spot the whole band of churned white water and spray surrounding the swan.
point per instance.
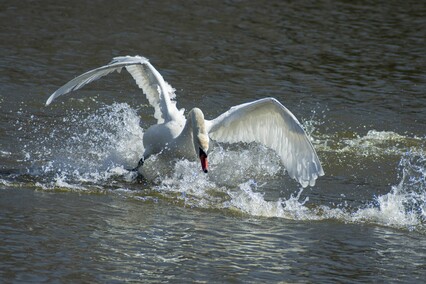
(88, 151)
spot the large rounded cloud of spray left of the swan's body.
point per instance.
(86, 148)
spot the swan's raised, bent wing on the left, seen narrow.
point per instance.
(158, 92)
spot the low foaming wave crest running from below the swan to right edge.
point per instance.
(404, 207)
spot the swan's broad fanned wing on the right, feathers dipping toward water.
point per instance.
(268, 122)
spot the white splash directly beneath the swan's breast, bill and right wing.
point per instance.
(184, 178)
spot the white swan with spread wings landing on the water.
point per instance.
(265, 121)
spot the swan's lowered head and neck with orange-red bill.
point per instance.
(200, 137)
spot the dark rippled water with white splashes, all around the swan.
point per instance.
(353, 73)
